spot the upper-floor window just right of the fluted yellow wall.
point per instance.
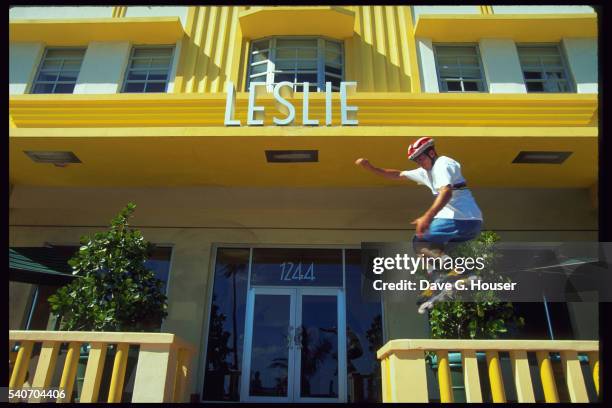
(459, 68)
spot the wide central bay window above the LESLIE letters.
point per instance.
(297, 60)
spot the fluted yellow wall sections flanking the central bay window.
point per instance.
(215, 49)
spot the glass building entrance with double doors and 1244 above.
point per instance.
(292, 325)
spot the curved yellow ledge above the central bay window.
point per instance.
(327, 21)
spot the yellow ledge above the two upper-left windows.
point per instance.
(73, 32)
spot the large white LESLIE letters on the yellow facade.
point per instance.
(281, 91)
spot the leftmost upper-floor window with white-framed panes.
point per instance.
(58, 70)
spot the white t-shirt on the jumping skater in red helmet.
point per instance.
(445, 171)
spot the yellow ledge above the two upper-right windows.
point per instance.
(519, 27)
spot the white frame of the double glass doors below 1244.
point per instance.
(294, 355)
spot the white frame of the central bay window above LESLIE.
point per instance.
(271, 68)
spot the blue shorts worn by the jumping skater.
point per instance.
(444, 230)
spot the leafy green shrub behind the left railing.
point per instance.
(114, 290)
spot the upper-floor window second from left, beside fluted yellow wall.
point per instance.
(148, 69)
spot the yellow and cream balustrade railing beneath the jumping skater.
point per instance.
(404, 369)
